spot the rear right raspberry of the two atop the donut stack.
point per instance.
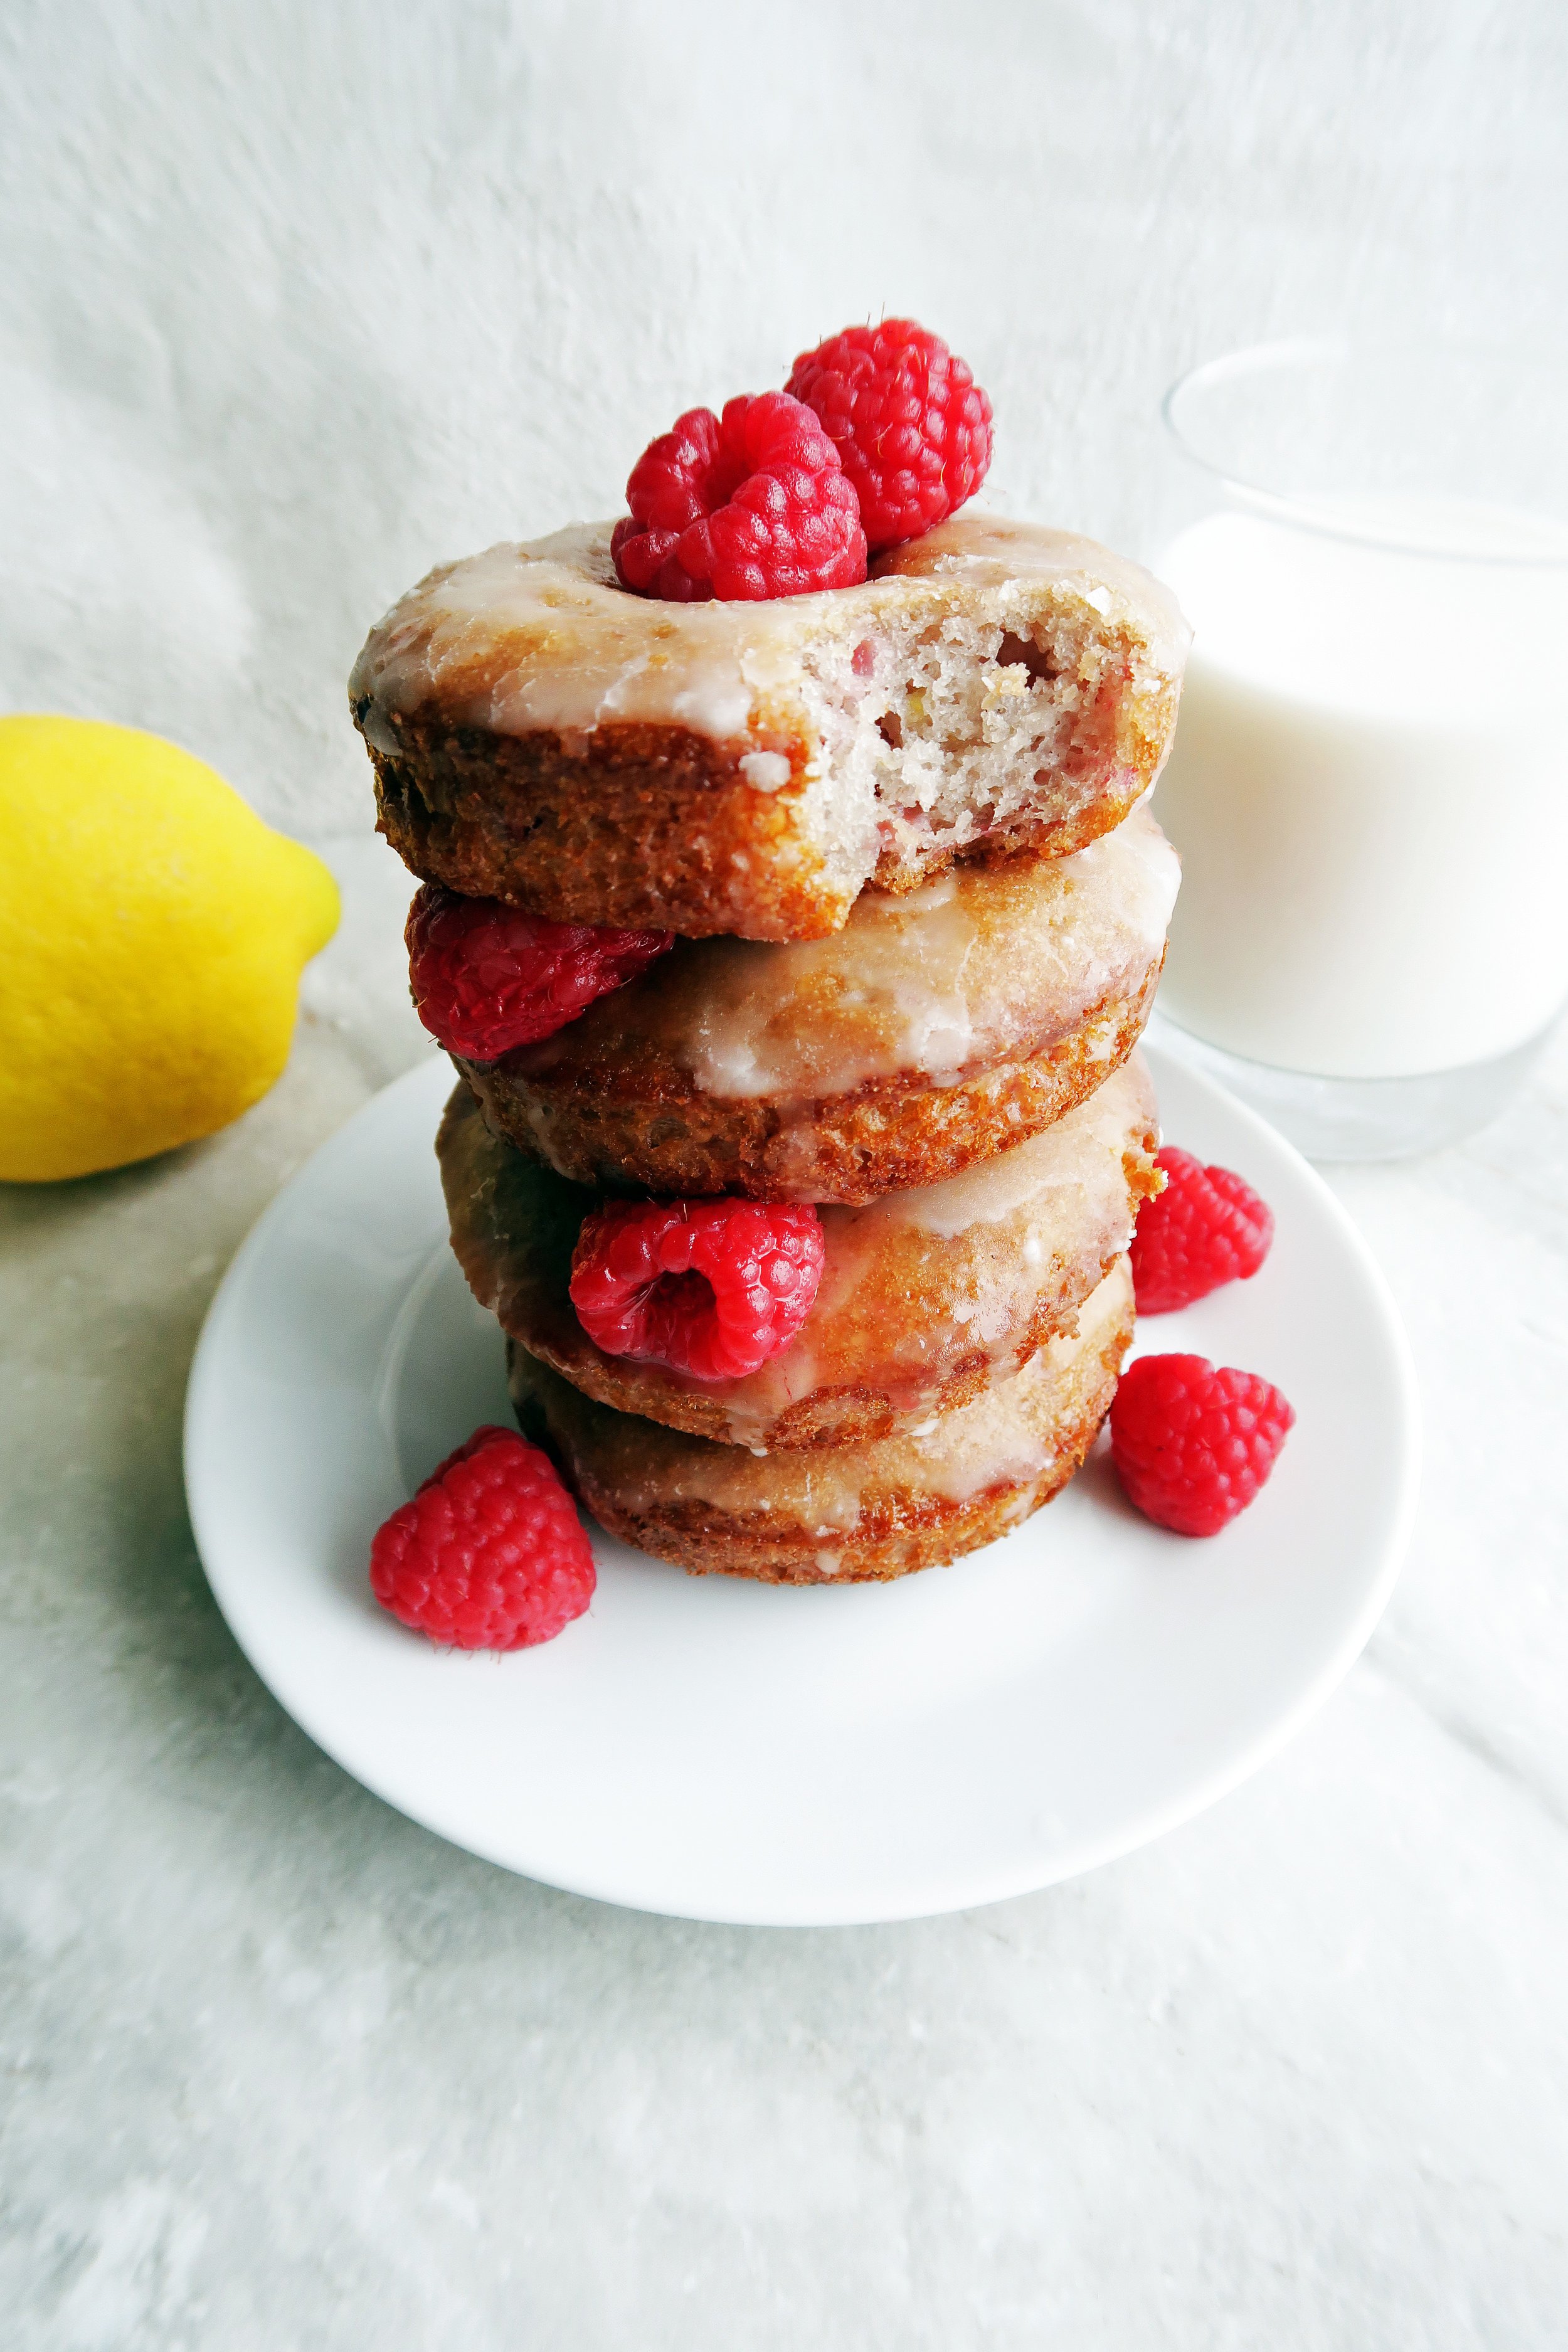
(909, 420)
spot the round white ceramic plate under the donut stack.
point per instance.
(760, 1753)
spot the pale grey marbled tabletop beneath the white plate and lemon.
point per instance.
(281, 2069)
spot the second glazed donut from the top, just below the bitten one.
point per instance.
(932, 1031)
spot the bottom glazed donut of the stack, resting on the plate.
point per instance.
(840, 1514)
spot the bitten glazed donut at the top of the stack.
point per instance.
(547, 737)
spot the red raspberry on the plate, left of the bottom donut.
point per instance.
(490, 1551)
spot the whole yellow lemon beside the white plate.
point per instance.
(152, 942)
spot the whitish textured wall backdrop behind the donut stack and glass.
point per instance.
(307, 295)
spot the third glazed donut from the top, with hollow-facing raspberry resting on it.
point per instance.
(927, 1297)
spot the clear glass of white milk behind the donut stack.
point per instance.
(1369, 784)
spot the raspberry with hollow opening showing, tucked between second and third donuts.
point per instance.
(711, 1288)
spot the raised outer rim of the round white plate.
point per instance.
(1148, 1824)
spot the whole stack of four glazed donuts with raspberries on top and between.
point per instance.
(791, 933)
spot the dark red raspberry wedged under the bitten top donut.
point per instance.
(488, 977)
